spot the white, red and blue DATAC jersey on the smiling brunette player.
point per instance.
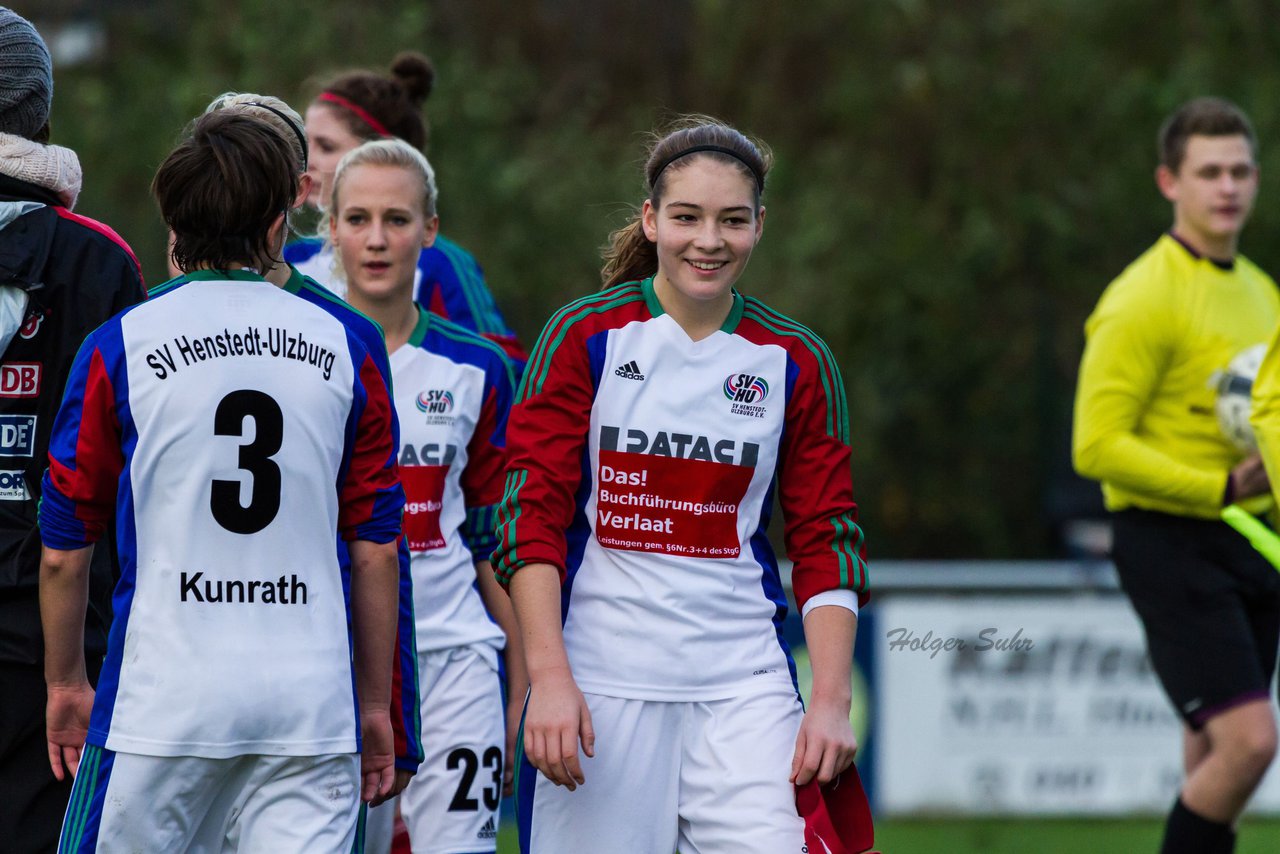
(644, 465)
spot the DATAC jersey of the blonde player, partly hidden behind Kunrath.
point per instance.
(454, 391)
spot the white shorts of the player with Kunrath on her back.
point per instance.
(127, 802)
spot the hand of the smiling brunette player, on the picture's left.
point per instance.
(555, 724)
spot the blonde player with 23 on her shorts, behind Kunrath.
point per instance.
(452, 392)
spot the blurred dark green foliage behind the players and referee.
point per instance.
(956, 182)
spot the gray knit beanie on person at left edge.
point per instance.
(26, 77)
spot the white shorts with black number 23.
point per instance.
(451, 806)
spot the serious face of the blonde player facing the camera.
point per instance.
(380, 229)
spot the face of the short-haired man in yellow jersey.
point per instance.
(1213, 193)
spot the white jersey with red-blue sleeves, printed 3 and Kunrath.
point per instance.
(232, 428)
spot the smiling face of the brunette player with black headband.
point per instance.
(705, 227)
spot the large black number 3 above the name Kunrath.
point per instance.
(255, 458)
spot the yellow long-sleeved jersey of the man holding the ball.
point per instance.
(1160, 337)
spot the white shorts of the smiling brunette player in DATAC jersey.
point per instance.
(707, 778)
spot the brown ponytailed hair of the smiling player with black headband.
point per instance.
(629, 254)
